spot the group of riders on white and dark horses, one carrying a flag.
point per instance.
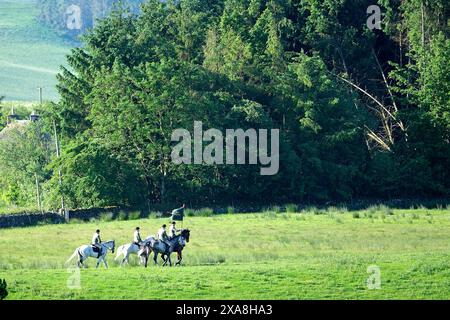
(164, 244)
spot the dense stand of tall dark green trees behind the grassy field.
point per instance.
(362, 113)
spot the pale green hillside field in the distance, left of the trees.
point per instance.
(30, 54)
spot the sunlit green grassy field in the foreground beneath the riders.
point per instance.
(308, 255)
